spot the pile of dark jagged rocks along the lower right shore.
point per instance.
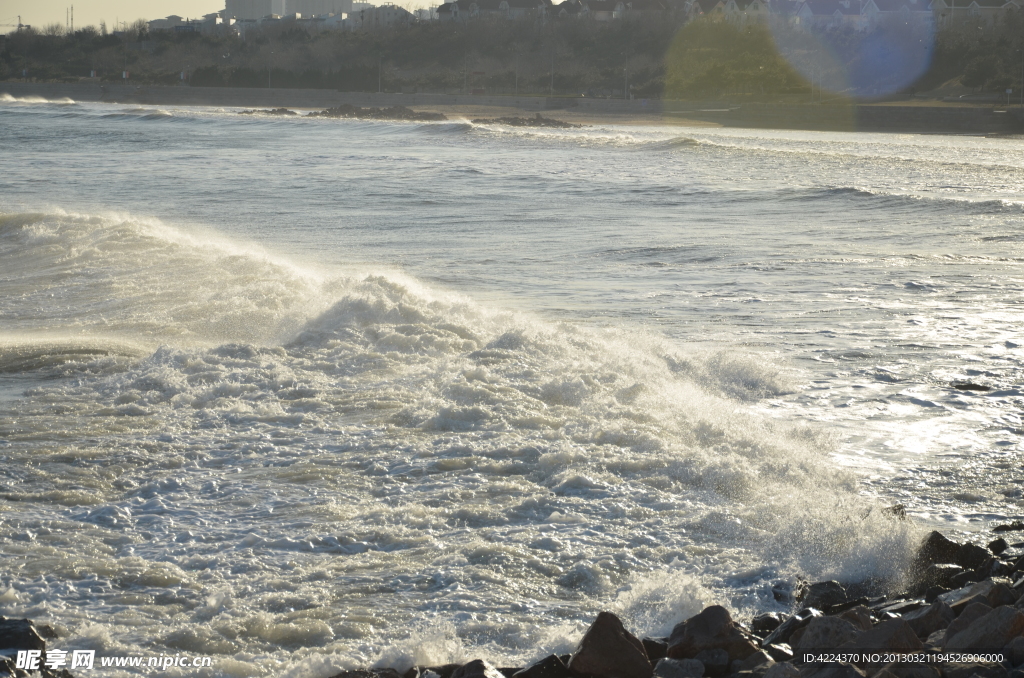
(963, 617)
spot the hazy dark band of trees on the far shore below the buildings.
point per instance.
(649, 58)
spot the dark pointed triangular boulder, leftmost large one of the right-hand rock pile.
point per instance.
(609, 651)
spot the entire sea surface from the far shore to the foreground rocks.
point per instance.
(313, 395)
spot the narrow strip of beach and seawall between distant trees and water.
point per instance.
(910, 117)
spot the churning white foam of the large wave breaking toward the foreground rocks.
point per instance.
(481, 467)
